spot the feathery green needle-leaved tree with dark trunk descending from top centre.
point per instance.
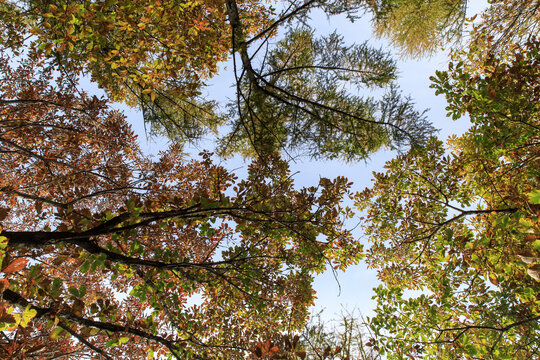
(296, 97)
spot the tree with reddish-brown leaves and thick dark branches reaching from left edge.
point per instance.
(105, 251)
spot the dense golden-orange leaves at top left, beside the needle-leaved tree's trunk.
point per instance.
(133, 48)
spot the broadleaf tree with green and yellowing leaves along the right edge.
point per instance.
(455, 229)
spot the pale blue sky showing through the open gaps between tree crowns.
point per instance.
(352, 289)
